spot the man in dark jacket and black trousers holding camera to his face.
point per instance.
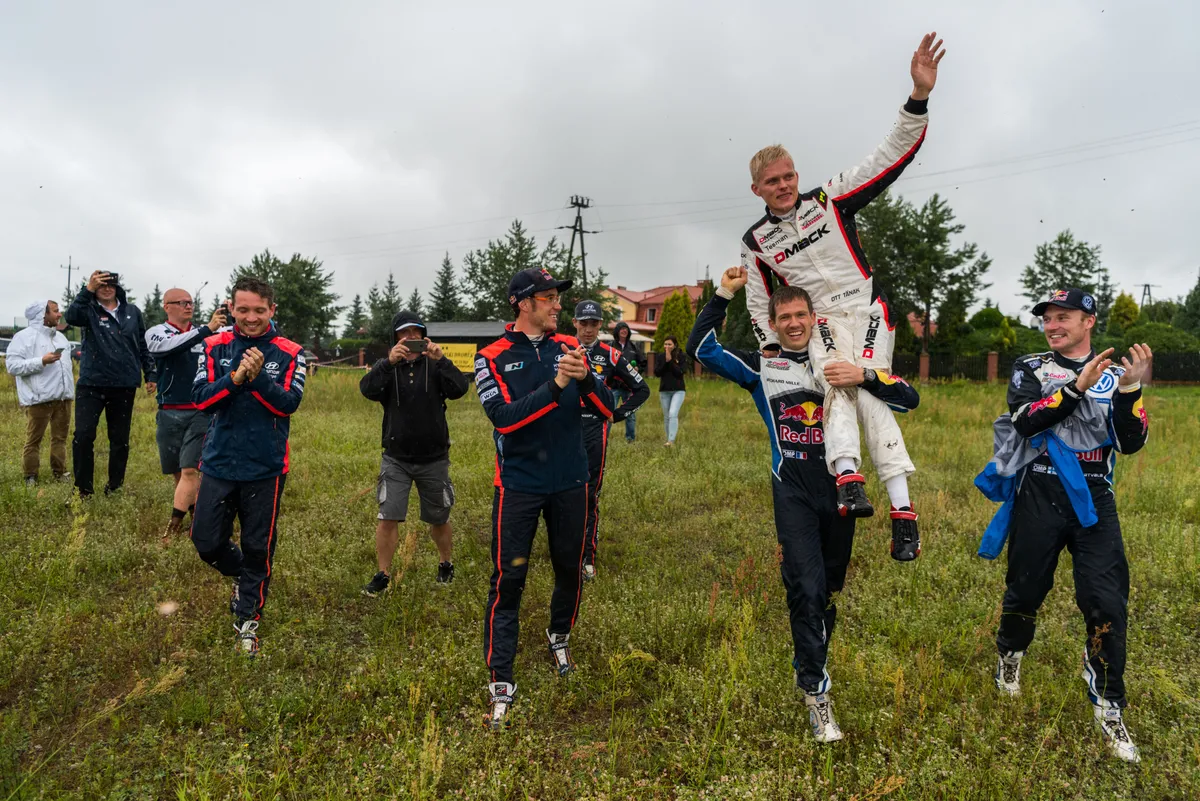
(115, 362)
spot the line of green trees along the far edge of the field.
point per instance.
(917, 252)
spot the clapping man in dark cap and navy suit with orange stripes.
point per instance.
(535, 386)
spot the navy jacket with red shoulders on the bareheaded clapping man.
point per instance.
(248, 437)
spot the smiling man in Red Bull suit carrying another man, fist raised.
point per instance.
(814, 538)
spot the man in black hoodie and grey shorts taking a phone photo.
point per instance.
(413, 386)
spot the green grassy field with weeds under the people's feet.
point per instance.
(685, 684)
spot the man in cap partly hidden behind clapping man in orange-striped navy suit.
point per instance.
(611, 368)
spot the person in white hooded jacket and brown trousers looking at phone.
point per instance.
(45, 387)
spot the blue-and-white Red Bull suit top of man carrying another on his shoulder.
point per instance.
(788, 396)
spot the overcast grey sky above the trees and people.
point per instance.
(171, 142)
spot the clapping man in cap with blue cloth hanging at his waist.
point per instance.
(1072, 386)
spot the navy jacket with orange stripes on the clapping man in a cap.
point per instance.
(539, 433)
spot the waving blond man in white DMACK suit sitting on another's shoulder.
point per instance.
(811, 240)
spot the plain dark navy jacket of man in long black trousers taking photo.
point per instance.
(115, 352)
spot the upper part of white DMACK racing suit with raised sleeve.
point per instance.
(818, 249)
